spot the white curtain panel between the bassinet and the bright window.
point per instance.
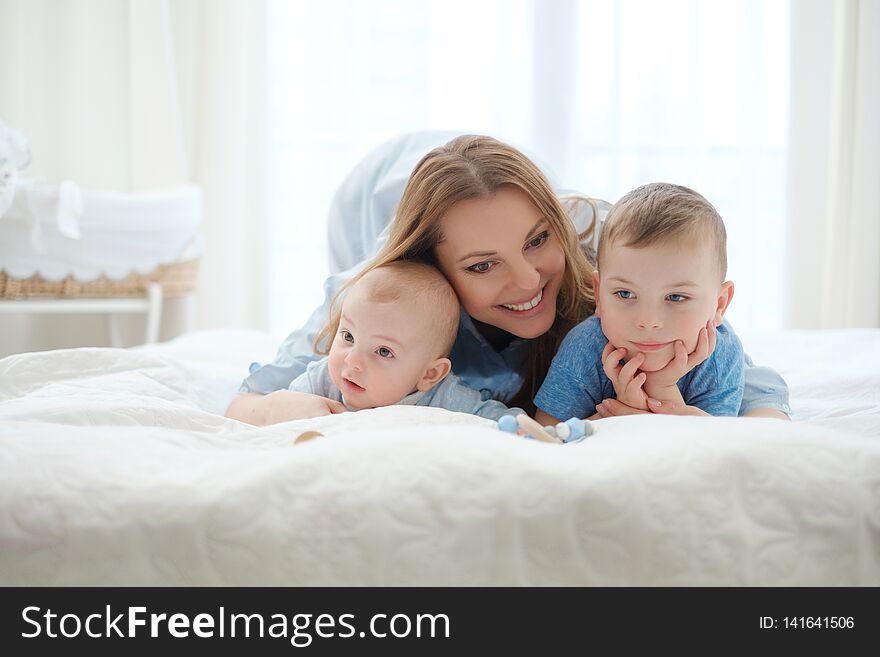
(223, 76)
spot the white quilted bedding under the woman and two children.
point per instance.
(117, 468)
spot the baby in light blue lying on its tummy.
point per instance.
(397, 326)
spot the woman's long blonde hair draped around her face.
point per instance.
(474, 167)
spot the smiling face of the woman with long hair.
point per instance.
(504, 261)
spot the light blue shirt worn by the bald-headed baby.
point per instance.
(449, 393)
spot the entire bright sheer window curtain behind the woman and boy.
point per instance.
(610, 94)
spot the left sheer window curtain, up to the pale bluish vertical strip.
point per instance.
(346, 75)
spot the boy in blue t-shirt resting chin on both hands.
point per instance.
(660, 294)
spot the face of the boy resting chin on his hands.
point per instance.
(649, 297)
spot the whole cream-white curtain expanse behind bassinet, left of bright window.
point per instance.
(129, 95)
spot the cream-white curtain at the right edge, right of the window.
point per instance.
(834, 165)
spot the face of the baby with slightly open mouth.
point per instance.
(380, 351)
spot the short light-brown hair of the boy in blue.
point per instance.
(658, 213)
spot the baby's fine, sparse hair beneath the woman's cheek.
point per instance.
(423, 286)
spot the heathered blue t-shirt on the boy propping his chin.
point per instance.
(576, 382)
